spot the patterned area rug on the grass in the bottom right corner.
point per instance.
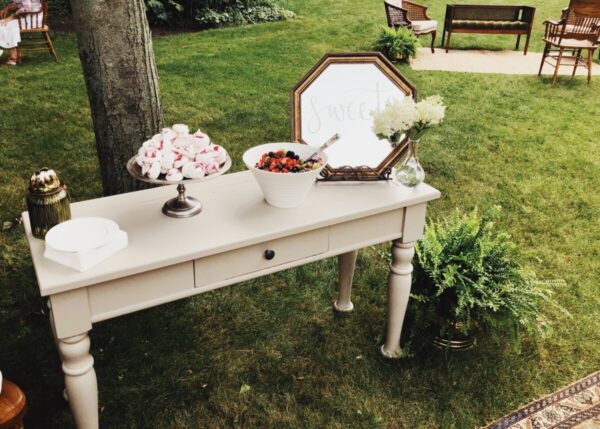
(574, 407)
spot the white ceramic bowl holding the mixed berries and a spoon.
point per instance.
(283, 190)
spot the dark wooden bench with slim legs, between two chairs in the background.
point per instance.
(488, 19)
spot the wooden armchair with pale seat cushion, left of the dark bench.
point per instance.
(403, 13)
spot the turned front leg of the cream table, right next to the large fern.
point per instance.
(399, 283)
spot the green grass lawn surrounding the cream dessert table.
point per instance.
(509, 140)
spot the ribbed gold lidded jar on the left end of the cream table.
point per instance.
(48, 202)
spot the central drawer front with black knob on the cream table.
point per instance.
(227, 265)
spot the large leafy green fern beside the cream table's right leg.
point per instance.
(467, 274)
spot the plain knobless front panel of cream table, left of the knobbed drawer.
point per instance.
(140, 291)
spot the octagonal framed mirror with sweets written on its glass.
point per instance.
(339, 95)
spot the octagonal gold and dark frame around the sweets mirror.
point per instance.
(360, 173)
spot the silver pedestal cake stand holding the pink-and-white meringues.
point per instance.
(181, 206)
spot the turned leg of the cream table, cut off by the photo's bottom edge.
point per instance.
(80, 380)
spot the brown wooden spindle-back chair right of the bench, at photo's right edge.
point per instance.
(576, 31)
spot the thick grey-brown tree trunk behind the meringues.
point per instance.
(115, 48)
